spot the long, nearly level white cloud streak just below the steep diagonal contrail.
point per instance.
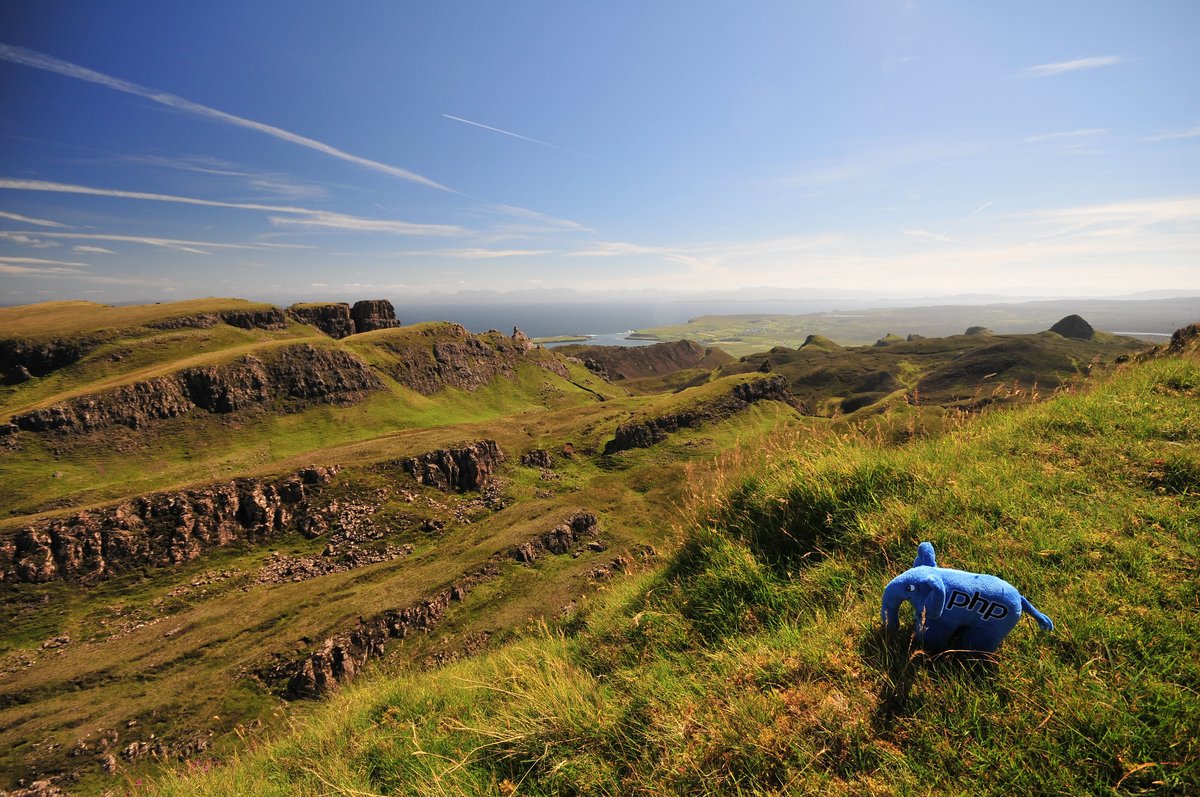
(309, 218)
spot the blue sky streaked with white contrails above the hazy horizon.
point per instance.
(339, 151)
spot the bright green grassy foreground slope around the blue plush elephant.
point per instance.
(755, 664)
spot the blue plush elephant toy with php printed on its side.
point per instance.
(970, 612)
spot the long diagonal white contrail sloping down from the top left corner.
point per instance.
(50, 64)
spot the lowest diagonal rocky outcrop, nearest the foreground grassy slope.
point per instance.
(343, 656)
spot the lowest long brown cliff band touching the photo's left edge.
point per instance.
(160, 530)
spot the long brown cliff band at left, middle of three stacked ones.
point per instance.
(297, 374)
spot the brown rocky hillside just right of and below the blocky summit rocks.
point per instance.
(458, 359)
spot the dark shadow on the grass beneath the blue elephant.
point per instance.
(902, 662)
